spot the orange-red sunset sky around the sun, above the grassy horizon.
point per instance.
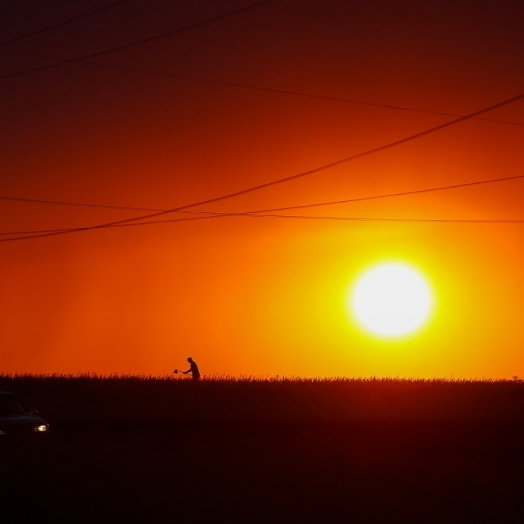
(163, 105)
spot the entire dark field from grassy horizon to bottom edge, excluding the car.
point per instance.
(138, 449)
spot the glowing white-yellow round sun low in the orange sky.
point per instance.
(391, 300)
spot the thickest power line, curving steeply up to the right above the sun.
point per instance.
(285, 179)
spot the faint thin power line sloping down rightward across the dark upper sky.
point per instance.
(270, 89)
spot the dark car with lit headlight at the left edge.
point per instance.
(17, 419)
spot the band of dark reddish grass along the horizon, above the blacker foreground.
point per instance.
(93, 397)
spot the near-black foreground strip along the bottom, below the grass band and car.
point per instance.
(128, 472)
